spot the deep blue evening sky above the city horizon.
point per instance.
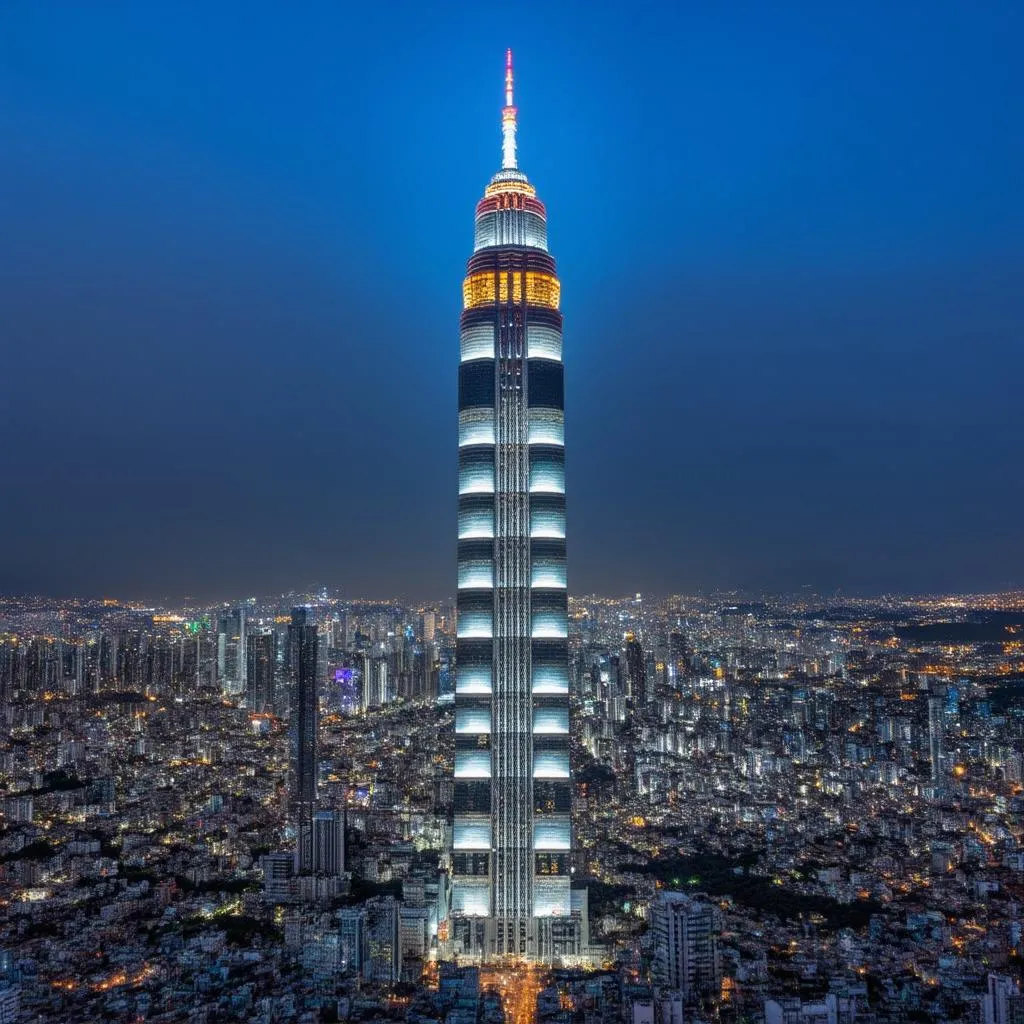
(791, 239)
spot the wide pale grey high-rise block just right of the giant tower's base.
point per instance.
(686, 945)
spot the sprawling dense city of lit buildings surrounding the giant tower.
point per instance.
(783, 824)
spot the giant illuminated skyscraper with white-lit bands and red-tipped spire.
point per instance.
(513, 834)
